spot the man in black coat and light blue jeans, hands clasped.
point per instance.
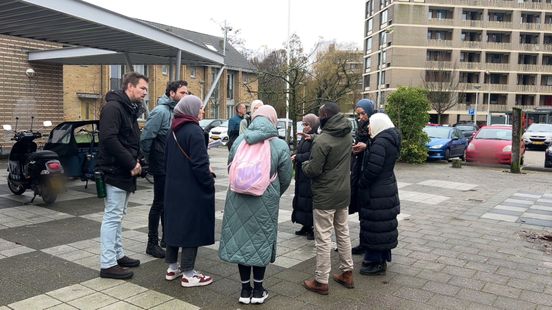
(118, 160)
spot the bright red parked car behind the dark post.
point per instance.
(492, 144)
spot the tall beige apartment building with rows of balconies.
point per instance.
(496, 54)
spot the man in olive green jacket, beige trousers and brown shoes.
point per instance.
(329, 169)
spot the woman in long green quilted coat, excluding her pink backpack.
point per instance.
(250, 223)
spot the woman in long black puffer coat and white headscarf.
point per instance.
(379, 196)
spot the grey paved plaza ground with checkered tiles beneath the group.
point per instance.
(461, 246)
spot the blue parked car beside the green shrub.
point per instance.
(445, 142)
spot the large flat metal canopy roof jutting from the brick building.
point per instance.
(77, 23)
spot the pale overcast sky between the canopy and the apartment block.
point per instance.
(262, 24)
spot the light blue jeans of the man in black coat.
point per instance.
(116, 203)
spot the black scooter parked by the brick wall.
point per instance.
(28, 168)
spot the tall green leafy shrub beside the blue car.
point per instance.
(408, 109)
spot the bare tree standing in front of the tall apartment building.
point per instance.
(443, 86)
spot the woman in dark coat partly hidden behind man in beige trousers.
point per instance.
(302, 201)
